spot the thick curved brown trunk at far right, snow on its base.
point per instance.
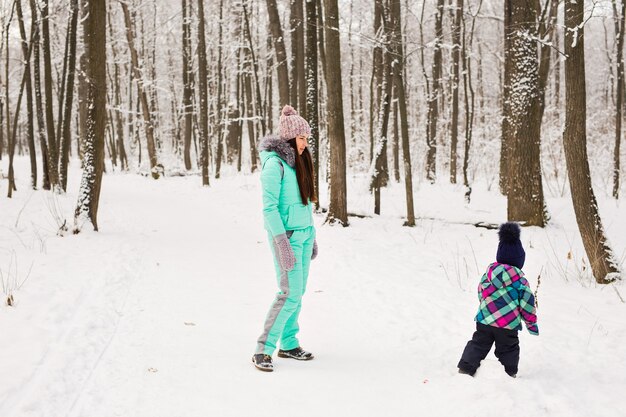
(600, 255)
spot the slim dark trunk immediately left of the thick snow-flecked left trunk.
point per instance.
(66, 137)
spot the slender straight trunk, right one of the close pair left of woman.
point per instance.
(204, 104)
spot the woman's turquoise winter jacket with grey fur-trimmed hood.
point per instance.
(282, 205)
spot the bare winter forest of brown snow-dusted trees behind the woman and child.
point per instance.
(525, 96)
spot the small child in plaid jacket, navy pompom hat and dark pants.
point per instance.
(505, 301)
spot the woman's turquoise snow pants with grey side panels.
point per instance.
(282, 319)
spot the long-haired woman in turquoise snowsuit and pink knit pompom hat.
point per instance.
(288, 190)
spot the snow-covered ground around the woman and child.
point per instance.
(158, 313)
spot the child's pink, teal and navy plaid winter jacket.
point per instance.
(506, 299)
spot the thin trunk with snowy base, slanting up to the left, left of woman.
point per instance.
(155, 167)
